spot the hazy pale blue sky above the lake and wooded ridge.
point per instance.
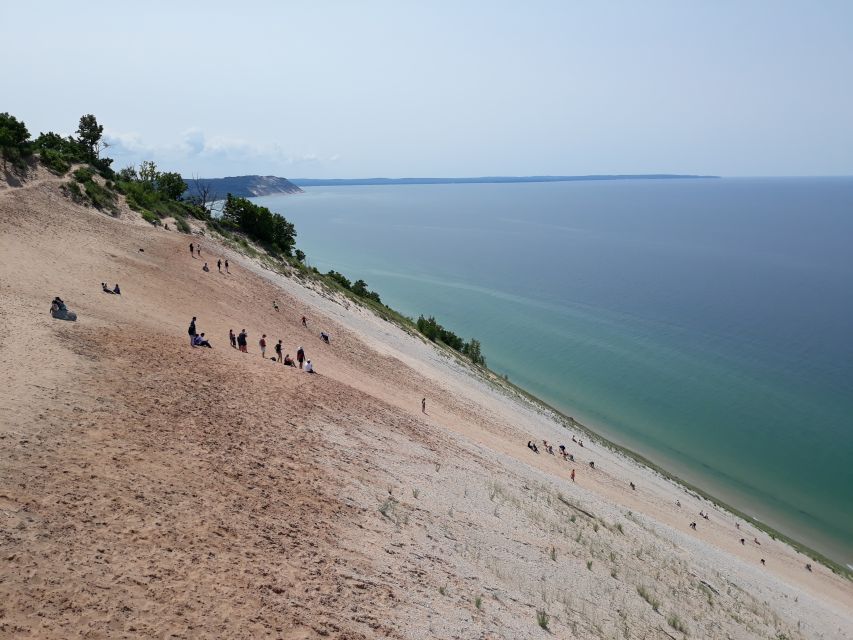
(442, 89)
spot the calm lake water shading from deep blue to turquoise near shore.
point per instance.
(703, 323)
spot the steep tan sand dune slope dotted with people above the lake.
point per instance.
(148, 489)
